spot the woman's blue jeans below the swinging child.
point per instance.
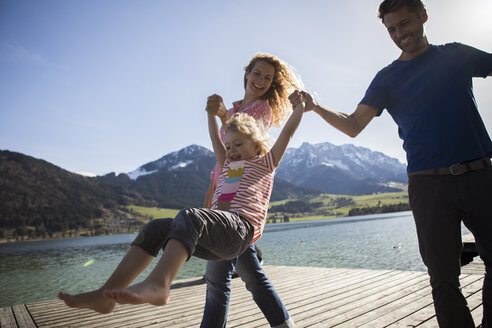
(218, 277)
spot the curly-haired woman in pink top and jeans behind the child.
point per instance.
(268, 81)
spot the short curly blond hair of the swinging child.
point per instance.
(251, 128)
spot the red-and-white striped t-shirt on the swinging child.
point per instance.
(245, 187)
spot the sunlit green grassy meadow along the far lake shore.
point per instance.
(331, 206)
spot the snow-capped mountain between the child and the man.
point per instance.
(344, 169)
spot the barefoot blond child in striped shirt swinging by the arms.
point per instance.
(220, 233)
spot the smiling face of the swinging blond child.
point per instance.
(239, 147)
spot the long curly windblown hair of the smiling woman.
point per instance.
(285, 81)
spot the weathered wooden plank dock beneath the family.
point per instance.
(314, 297)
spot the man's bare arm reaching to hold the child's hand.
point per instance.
(351, 124)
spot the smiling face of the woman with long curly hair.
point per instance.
(259, 79)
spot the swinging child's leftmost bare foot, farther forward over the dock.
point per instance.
(92, 300)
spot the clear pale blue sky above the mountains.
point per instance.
(108, 85)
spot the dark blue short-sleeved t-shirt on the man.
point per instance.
(431, 99)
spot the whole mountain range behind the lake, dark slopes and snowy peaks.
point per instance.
(35, 193)
